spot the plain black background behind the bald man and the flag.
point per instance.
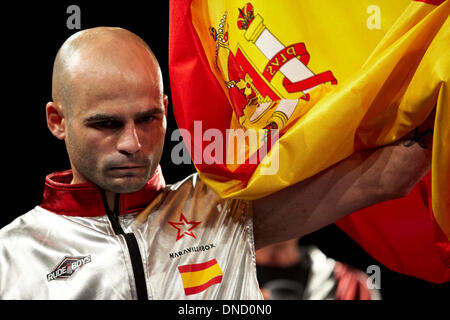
(31, 36)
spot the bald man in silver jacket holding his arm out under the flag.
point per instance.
(109, 228)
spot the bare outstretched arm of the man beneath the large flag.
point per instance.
(364, 179)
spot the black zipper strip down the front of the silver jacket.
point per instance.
(133, 248)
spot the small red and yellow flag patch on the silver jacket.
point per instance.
(200, 276)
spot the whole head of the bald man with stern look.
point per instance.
(109, 108)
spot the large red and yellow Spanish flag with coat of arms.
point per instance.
(332, 77)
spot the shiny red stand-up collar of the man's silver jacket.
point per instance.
(85, 199)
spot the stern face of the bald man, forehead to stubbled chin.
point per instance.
(115, 128)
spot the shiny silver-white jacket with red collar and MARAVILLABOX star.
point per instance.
(184, 242)
